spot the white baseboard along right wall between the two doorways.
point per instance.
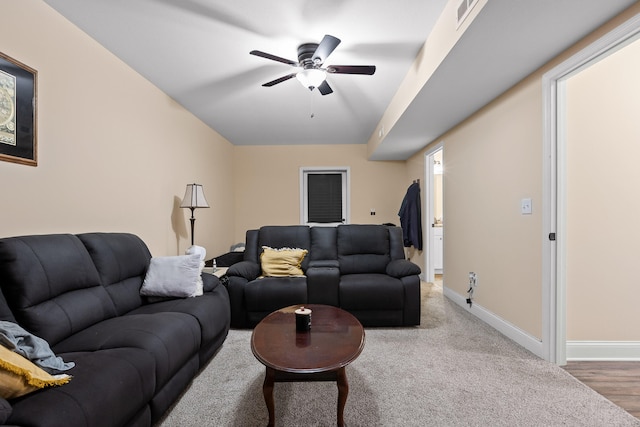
(512, 332)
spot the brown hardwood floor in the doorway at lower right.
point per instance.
(617, 381)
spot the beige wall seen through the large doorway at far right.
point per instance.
(603, 206)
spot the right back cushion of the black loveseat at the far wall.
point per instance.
(363, 248)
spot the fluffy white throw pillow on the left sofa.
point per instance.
(172, 276)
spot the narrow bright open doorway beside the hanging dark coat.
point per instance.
(434, 201)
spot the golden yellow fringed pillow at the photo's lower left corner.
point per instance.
(18, 376)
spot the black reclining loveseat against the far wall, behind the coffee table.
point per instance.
(359, 268)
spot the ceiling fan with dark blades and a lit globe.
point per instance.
(311, 57)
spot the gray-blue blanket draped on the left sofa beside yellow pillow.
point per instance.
(34, 348)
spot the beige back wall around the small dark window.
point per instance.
(266, 182)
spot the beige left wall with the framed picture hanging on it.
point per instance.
(115, 153)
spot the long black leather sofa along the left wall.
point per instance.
(133, 358)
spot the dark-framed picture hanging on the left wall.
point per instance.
(18, 95)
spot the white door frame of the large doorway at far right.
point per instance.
(554, 197)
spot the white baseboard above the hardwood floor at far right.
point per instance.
(603, 350)
